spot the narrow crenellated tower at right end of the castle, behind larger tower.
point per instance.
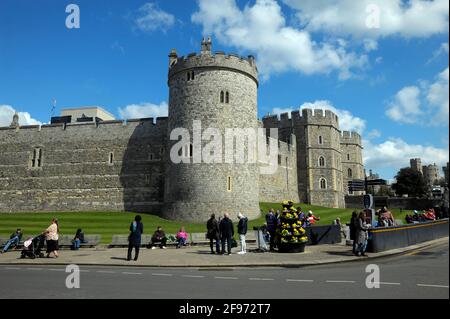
(352, 161)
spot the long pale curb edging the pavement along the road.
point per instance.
(389, 253)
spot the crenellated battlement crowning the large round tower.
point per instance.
(207, 59)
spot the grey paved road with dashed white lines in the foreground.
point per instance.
(420, 274)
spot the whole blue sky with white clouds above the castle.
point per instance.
(388, 81)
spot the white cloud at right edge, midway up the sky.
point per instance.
(427, 104)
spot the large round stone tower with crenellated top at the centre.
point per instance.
(218, 92)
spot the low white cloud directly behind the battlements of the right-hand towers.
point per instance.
(347, 121)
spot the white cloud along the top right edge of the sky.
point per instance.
(413, 18)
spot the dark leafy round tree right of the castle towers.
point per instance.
(410, 182)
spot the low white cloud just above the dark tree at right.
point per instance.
(395, 153)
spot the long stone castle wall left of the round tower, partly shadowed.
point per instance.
(76, 173)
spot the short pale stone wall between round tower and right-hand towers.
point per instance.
(282, 184)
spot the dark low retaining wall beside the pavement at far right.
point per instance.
(386, 238)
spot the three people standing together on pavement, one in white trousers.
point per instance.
(221, 233)
